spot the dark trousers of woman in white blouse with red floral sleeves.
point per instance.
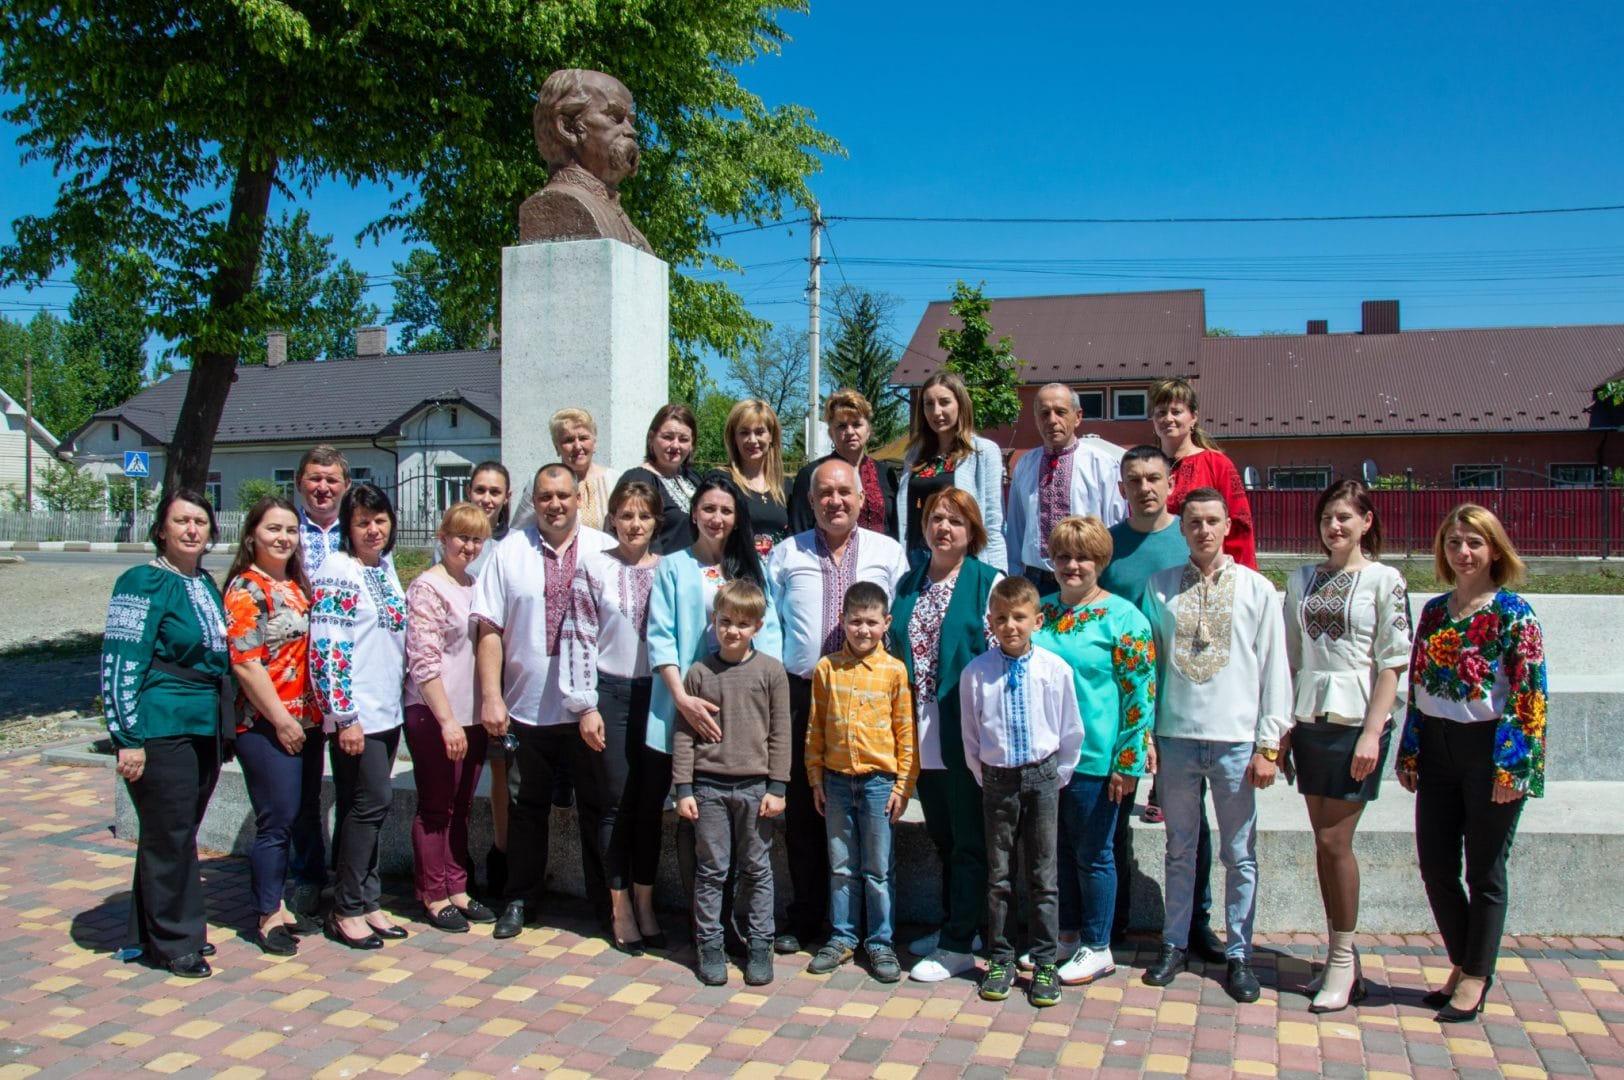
(361, 785)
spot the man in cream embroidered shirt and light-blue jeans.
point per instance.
(1224, 706)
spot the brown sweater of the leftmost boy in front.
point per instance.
(754, 699)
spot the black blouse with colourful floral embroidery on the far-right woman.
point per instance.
(1484, 668)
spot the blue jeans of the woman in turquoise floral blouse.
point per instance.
(1087, 858)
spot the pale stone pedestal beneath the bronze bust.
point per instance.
(585, 324)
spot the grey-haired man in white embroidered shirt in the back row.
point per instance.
(1066, 477)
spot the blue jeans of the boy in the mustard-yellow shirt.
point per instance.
(860, 857)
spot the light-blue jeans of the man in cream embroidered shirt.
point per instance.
(1185, 764)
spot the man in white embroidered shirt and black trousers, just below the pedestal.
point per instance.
(520, 603)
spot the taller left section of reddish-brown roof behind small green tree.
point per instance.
(1079, 339)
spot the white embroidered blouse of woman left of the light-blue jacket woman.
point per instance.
(607, 628)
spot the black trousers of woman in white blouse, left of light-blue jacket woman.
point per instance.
(633, 785)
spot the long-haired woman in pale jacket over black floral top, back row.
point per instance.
(944, 451)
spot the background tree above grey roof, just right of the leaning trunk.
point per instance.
(316, 298)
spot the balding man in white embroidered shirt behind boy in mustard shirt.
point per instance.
(810, 576)
